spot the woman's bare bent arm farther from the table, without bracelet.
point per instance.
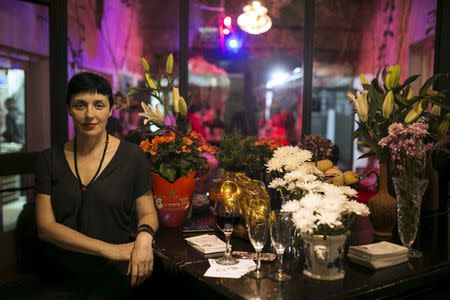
(69, 239)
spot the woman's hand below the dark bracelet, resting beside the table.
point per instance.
(140, 266)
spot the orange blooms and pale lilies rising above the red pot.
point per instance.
(174, 149)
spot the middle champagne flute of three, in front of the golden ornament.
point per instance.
(257, 227)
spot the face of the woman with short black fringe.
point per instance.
(90, 113)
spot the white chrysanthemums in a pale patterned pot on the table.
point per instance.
(321, 212)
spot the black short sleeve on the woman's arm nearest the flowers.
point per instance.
(142, 178)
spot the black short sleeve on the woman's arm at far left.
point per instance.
(42, 177)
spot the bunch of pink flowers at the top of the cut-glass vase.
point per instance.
(408, 148)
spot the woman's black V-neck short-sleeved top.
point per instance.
(108, 213)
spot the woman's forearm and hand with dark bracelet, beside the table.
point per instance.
(141, 262)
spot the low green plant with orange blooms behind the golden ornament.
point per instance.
(248, 154)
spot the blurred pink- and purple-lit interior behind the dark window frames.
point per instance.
(254, 83)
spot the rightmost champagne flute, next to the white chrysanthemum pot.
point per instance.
(281, 237)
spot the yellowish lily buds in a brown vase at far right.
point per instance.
(384, 101)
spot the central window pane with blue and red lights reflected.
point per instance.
(251, 83)
